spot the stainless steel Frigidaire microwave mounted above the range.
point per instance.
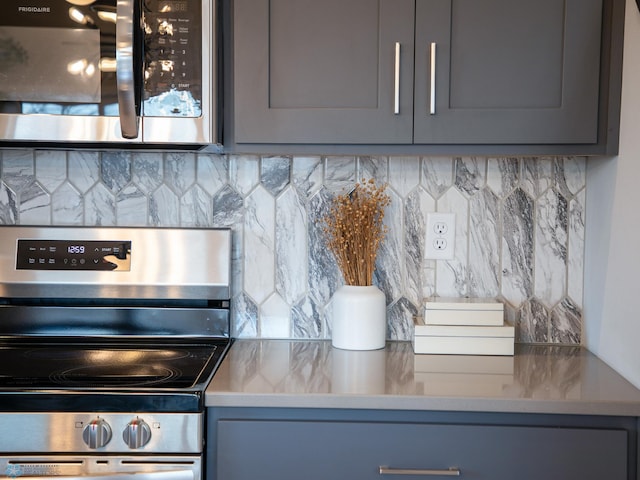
(138, 72)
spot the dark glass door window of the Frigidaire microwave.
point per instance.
(58, 58)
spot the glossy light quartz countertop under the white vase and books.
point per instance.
(313, 374)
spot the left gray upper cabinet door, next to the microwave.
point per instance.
(309, 71)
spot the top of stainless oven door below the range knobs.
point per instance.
(97, 467)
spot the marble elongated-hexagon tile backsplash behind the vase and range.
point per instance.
(519, 227)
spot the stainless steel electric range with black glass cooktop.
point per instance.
(108, 338)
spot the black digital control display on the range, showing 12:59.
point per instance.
(110, 255)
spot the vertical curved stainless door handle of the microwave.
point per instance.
(124, 69)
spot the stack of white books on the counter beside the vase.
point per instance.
(463, 326)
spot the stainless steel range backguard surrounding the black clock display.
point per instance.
(164, 263)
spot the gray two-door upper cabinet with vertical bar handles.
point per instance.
(436, 74)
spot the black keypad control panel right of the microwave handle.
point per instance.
(173, 58)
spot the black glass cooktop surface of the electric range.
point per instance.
(36, 366)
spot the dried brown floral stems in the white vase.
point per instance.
(354, 230)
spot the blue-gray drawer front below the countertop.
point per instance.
(288, 450)
